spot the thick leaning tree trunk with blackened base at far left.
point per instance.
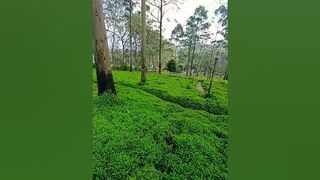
(101, 51)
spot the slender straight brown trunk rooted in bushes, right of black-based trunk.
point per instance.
(143, 42)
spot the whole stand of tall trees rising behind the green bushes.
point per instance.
(130, 38)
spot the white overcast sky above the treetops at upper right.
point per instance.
(186, 10)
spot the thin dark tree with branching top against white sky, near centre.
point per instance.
(162, 7)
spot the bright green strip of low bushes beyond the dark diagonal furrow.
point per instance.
(179, 90)
